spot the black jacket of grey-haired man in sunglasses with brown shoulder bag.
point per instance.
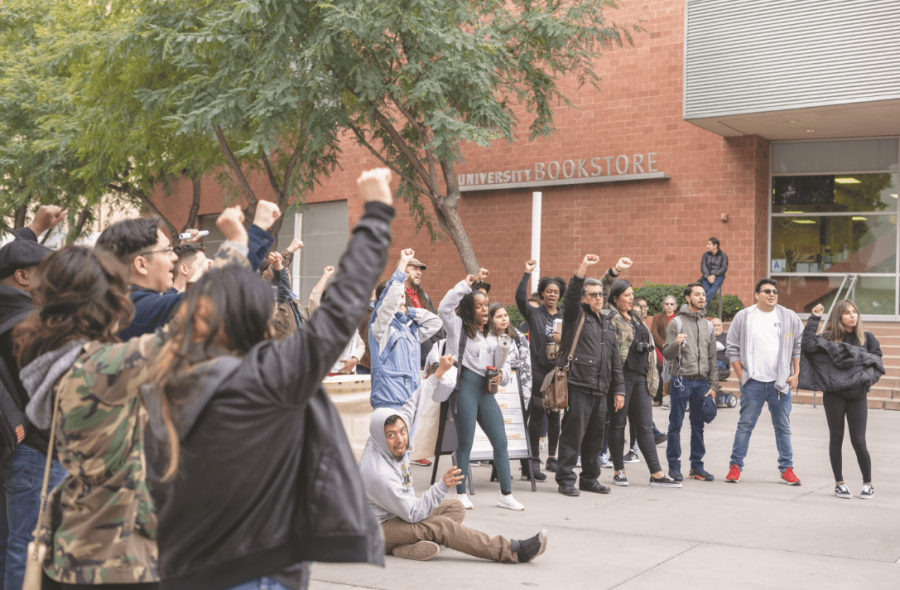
(596, 365)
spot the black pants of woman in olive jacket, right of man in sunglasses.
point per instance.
(638, 409)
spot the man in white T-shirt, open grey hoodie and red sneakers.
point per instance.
(763, 346)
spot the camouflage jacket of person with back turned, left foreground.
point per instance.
(100, 525)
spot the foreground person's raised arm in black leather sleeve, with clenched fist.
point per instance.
(293, 369)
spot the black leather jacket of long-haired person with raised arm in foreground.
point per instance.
(267, 478)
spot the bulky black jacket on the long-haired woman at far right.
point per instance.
(845, 368)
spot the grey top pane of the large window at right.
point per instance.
(828, 156)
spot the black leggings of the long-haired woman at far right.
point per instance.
(856, 411)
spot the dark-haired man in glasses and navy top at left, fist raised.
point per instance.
(141, 245)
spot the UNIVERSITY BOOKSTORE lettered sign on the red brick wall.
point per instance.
(577, 171)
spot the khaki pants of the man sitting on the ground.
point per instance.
(444, 528)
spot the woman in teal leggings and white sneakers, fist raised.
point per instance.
(466, 316)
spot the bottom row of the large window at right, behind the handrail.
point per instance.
(874, 295)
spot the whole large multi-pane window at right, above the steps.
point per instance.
(827, 222)
